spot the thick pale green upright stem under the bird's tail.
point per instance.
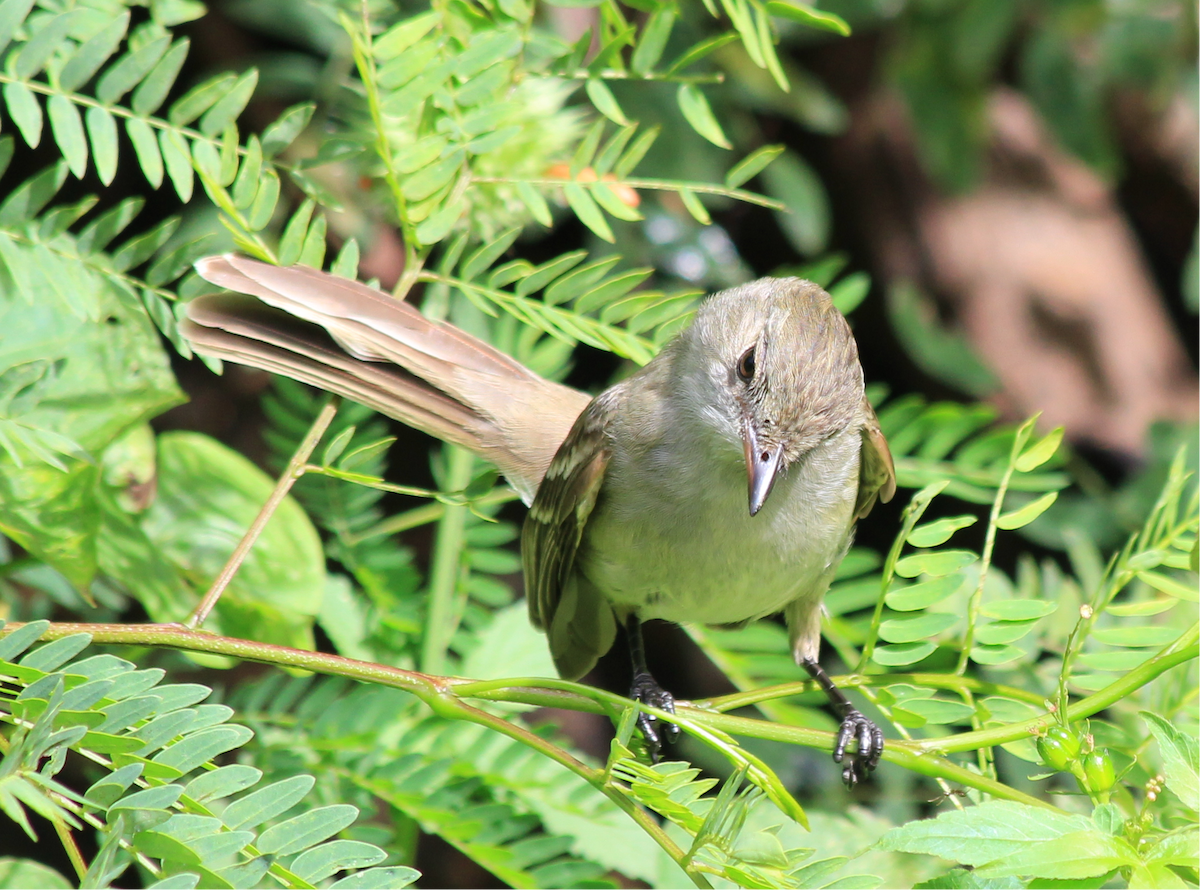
(445, 578)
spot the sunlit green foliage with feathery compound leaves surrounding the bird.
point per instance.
(467, 128)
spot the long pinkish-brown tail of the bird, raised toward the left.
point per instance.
(383, 353)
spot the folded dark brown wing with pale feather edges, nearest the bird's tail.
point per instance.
(555, 525)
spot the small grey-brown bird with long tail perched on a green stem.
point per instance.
(718, 485)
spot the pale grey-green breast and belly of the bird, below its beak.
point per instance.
(673, 538)
